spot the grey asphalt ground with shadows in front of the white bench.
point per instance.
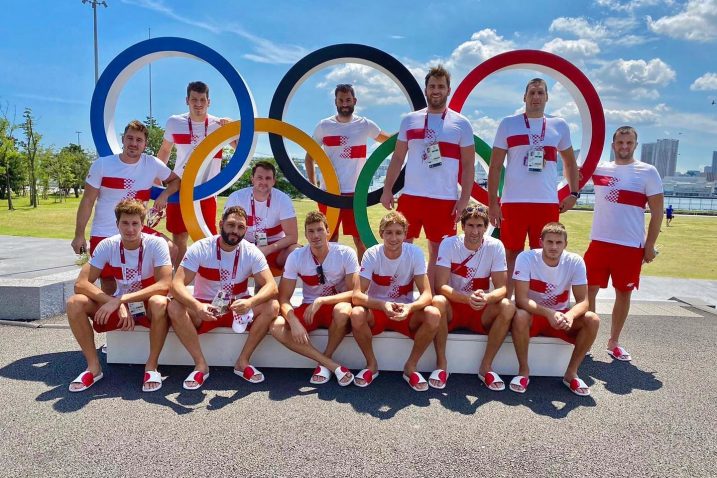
(652, 417)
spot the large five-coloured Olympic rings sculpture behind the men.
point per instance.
(195, 185)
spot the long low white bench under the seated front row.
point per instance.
(221, 347)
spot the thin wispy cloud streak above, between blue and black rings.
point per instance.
(265, 51)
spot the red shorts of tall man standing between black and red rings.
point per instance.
(433, 215)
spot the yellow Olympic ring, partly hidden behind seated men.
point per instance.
(230, 131)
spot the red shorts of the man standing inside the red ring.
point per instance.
(525, 219)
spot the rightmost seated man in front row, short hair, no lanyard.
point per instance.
(543, 280)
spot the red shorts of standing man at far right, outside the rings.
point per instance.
(622, 263)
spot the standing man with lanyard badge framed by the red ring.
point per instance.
(531, 141)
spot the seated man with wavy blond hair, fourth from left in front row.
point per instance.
(384, 301)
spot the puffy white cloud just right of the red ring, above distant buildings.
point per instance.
(637, 78)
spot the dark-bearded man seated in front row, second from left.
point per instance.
(220, 267)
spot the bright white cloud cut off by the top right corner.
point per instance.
(697, 22)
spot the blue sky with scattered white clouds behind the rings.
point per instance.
(653, 62)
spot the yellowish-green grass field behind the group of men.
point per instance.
(687, 248)
